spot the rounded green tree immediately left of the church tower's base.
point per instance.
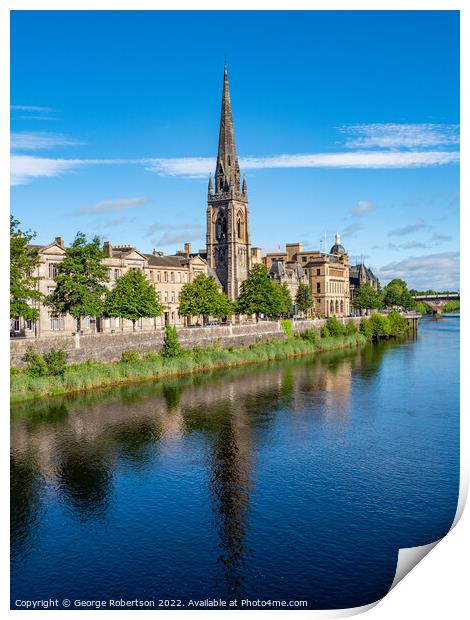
(202, 297)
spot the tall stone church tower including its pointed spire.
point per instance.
(228, 229)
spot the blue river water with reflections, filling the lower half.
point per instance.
(294, 481)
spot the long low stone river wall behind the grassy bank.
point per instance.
(108, 347)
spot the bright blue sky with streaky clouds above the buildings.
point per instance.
(344, 121)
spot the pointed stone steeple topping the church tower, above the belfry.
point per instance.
(227, 174)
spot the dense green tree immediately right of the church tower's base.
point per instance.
(258, 295)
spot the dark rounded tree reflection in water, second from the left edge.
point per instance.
(84, 476)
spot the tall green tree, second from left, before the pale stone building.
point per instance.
(80, 280)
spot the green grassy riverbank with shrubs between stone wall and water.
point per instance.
(37, 382)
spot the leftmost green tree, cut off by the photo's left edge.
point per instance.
(23, 262)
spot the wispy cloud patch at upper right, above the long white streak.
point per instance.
(401, 135)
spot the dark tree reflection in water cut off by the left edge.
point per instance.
(25, 492)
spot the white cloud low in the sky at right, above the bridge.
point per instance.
(435, 271)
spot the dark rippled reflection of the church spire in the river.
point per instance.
(231, 469)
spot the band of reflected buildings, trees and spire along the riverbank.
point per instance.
(75, 444)
